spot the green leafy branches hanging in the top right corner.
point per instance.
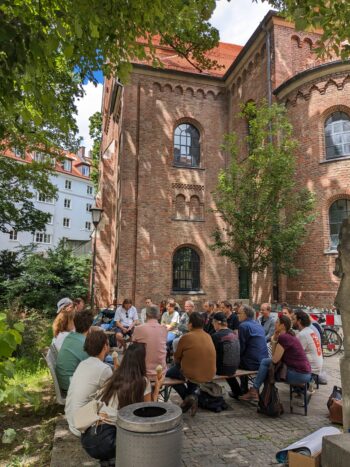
(332, 17)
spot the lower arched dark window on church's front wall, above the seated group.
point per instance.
(186, 269)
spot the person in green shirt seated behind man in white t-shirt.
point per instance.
(72, 351)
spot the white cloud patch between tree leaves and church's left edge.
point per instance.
(87, 106)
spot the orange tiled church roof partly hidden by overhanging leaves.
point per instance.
(224, 54)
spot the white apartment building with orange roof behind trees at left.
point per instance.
(70, 212)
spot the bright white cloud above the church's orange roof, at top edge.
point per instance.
(237, 20)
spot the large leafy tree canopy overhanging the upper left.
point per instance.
(49, 48)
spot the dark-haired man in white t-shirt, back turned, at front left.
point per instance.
(89, 376)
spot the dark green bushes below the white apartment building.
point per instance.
(44, 278)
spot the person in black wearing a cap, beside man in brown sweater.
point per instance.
(226, 344)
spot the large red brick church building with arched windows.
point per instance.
(161, 155)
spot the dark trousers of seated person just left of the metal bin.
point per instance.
(100, 441)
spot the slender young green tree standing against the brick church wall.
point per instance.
(265, 214)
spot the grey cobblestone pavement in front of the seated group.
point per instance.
(241, 437)
